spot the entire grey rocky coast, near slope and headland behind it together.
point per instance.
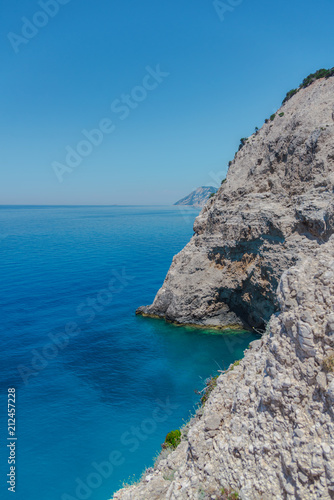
(263, 251)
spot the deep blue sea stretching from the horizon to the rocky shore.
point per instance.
(97, 387)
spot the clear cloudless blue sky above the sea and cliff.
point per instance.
(124, 102)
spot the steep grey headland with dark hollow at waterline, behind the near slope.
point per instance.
(275, 208)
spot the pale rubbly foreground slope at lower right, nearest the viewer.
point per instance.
(267, 428)
